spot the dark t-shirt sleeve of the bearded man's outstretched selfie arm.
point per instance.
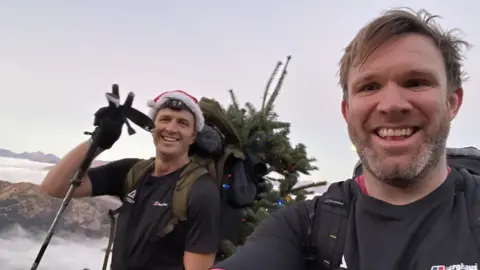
(275, 244)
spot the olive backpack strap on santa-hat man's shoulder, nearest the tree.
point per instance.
(191, 173)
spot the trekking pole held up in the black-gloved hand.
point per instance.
(113, 98)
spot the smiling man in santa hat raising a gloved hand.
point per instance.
(193, 243)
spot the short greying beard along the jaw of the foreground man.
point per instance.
(426, 158)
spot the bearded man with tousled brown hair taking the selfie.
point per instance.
(402, 86)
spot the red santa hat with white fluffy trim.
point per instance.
(188, 100)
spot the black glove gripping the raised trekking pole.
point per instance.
(109, 122)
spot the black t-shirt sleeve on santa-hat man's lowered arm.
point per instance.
(203, 222)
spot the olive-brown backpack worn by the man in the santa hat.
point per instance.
(216, 152)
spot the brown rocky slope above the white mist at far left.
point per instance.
(25, 205)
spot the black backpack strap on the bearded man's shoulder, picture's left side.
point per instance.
(329, 226)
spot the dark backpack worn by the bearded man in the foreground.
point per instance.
(334, 208)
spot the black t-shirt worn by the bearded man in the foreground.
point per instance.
(431, 233)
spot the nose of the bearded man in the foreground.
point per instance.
(394, 100)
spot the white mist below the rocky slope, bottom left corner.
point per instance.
(19, 248)
